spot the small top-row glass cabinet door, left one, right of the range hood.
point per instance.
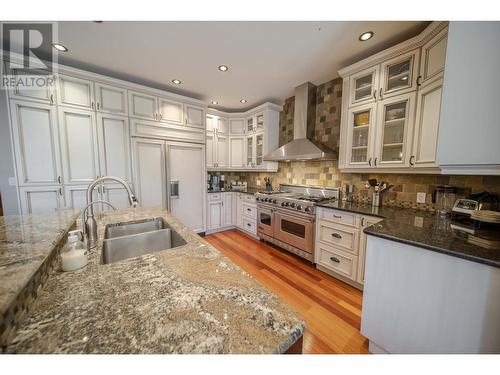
(364, 86)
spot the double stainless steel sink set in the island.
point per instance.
(127, 240)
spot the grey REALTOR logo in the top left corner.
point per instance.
(29, 59)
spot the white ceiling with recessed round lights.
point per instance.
(266, 59)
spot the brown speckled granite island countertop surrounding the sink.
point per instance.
(190, 299)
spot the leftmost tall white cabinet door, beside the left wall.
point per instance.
(36, 143)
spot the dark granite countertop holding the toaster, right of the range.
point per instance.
(424, 229)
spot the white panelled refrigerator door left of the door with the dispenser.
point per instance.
(149, 170)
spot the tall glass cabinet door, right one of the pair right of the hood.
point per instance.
(395, 123)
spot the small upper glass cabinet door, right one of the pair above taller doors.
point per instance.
(398, 75)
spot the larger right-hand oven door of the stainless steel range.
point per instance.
(294, 230)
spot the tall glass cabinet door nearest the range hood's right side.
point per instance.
(360, 133)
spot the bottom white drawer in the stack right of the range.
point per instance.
(337, 260)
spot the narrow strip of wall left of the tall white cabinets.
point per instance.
(9, 193)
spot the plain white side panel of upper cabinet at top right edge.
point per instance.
(469, 130)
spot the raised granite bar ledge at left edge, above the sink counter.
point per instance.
(25, 243)
